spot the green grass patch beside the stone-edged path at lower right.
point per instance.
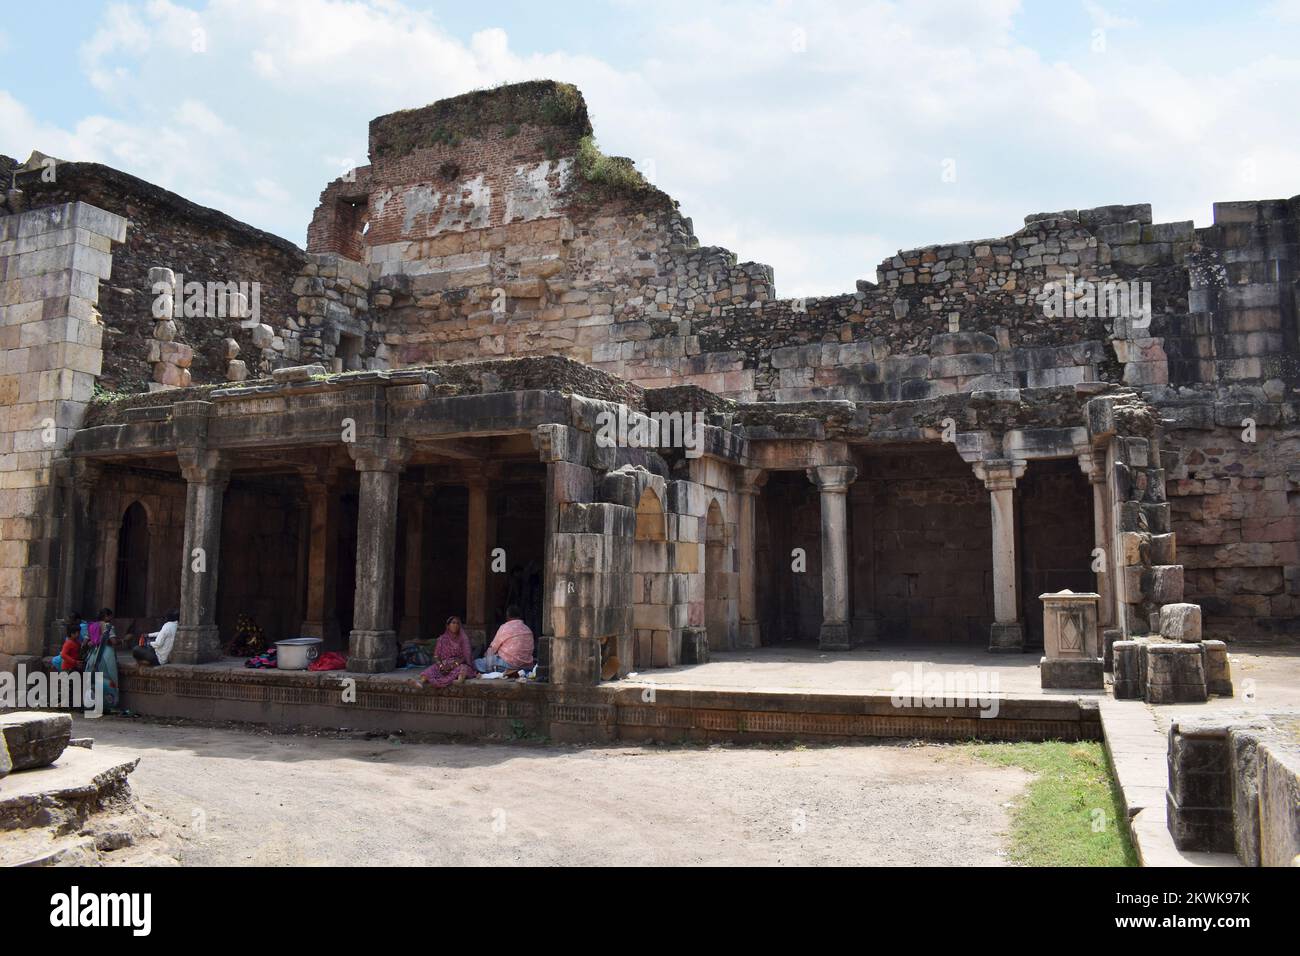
(1072, 814)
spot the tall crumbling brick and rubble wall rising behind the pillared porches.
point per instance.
(470, 240)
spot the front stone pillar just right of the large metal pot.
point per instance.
(374, 643)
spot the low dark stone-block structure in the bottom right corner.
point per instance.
(1234, 788)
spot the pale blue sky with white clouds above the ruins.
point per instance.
(817, 137)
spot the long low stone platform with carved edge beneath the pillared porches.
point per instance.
(666, 706)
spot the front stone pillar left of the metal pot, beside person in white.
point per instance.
(198, 638)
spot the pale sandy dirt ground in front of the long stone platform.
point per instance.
(245, 797)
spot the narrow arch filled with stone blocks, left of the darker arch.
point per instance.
(652, 586)
